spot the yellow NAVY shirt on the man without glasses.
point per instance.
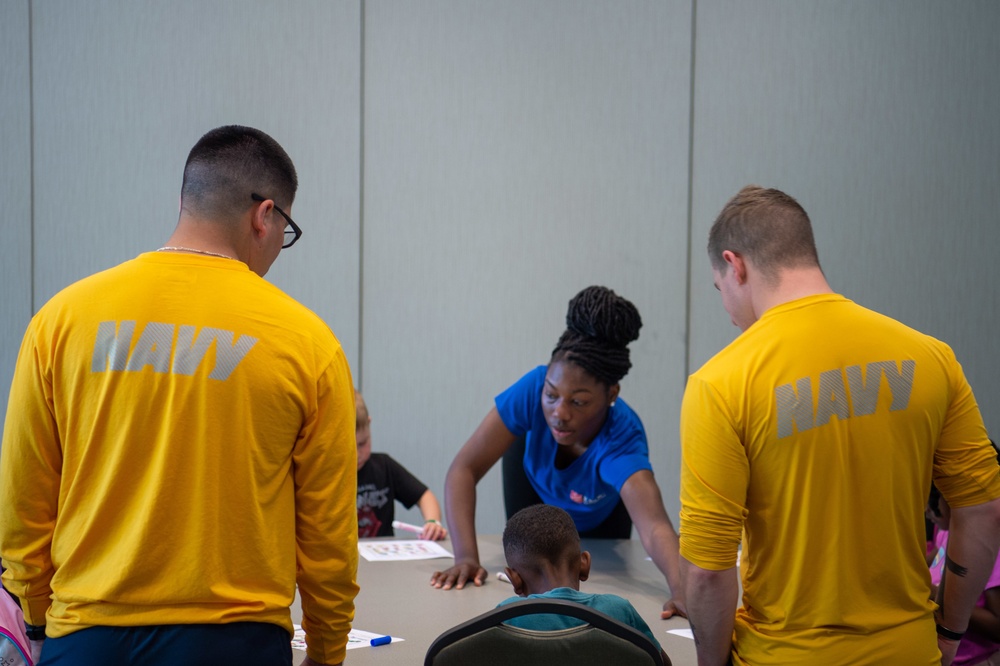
(814, 436)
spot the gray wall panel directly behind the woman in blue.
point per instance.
(515, 153)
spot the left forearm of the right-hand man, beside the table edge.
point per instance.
(711, 605)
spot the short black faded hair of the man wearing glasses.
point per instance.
(231, 162)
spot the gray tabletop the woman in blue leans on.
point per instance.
(396, 598)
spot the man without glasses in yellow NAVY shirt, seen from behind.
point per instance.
(813, 438)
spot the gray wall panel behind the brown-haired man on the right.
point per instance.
(881, 119)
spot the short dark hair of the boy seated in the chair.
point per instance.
(540, 533)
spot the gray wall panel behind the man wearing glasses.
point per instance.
(115, 118)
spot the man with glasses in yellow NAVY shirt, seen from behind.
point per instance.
(178, 452)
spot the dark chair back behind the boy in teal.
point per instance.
(486, 641)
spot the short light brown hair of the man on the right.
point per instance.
(766, 226)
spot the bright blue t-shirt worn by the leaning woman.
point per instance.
(588, 489)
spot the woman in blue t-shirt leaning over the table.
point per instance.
(584, 448)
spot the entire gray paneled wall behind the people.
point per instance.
(466, 167)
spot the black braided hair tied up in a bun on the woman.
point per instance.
(599, 326)
